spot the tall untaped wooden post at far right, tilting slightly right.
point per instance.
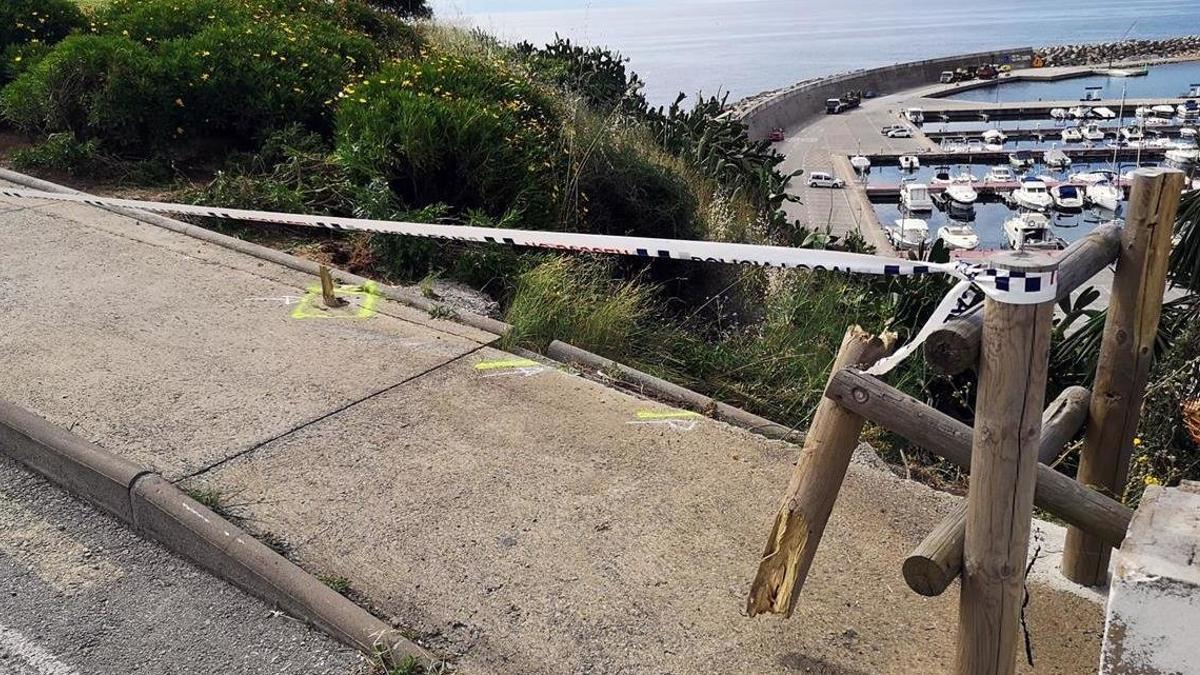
(1126, 354)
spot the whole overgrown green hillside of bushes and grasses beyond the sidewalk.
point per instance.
(367, 110)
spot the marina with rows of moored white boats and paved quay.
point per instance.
(927, 164)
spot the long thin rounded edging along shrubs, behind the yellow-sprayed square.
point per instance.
(484, 324)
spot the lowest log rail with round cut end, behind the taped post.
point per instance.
(938, 560)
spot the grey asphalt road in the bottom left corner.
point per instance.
(81, 595)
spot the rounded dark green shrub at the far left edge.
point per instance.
(88, 86)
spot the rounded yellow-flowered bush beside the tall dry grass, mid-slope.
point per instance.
(455, 132)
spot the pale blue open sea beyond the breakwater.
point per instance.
(745, 47)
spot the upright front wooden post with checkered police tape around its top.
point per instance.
(1004, 474)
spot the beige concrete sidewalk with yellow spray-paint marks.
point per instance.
(519, 518)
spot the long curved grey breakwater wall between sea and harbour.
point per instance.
(805, 101)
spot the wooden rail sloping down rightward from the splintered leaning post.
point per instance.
(941, 434)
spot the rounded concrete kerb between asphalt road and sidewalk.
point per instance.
(154, 509)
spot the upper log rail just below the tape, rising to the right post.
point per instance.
(955, 348)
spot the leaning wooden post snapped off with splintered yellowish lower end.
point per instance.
(814, 488)
